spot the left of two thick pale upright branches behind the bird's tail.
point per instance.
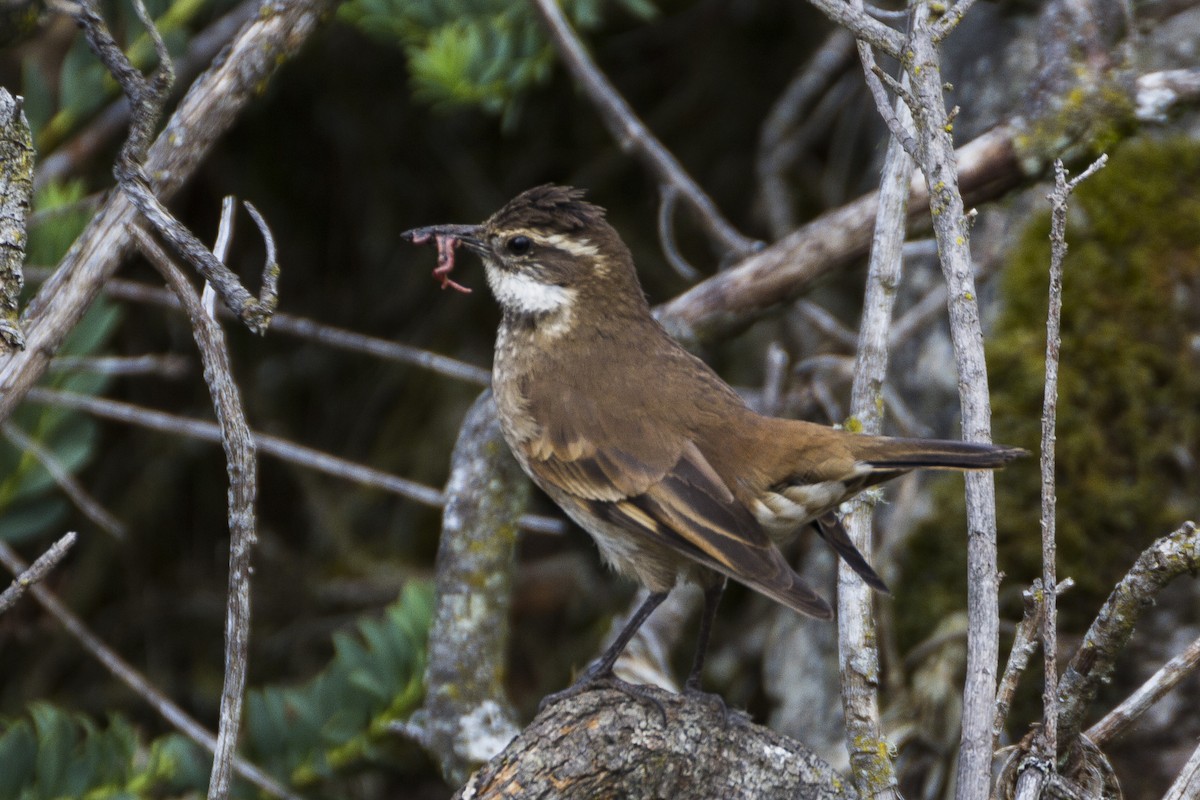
(859, 655)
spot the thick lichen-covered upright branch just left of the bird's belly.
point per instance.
(467, 718)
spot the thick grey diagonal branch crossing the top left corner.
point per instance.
(207, 111)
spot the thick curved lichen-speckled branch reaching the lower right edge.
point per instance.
(1093, 665)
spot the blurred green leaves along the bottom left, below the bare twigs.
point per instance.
(337, 721)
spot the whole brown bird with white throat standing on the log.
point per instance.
(640, 442)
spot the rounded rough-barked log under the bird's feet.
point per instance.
(607, 744)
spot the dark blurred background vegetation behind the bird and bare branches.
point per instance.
(413, 112)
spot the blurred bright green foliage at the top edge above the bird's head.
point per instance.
(475, 52)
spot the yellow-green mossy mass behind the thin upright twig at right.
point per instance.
(1129, 432)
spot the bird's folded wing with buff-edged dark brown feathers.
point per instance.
(669, 494)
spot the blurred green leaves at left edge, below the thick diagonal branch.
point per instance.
(31, 504)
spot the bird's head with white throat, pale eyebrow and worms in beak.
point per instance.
(544, 252)
